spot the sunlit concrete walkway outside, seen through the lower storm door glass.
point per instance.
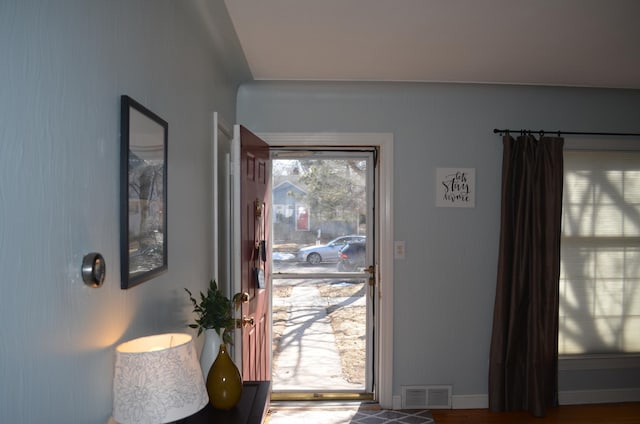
(309, 358)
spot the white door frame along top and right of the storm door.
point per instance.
(384, 231)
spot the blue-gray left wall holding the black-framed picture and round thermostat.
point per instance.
(63, 68)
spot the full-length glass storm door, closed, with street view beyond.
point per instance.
(323, 265)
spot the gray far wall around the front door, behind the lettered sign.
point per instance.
(444, 289)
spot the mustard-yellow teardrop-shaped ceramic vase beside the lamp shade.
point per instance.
(224, 383)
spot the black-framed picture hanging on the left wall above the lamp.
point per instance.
(143, 193)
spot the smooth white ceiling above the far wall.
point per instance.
(548, 42)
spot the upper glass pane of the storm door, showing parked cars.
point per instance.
(319, 207)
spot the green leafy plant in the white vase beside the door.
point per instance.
(215, 311)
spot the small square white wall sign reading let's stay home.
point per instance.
(455, 187)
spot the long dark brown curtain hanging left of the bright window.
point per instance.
(523, 368)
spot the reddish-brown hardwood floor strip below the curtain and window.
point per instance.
(619, 413)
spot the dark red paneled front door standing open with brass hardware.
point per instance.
(253, 213)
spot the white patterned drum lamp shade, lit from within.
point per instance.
(157, 379)
